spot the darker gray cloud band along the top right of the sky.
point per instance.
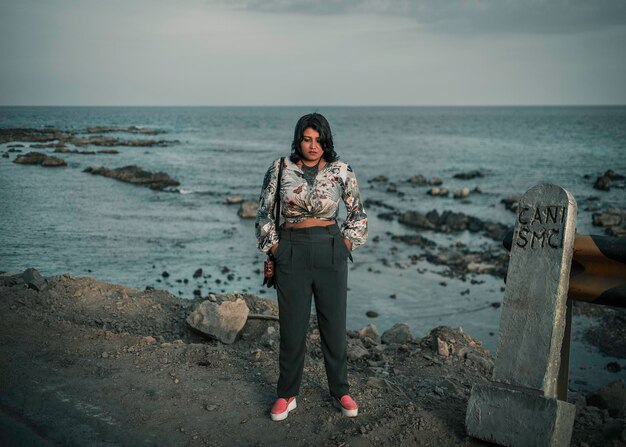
(468, 16)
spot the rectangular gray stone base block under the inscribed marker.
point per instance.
(516, 418)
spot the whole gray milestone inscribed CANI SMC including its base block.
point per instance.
(519, 407)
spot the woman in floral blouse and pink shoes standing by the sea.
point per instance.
(310, 253)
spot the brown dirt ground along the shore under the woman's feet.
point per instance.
(86, 363)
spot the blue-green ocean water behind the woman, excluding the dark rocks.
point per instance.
(64, 220)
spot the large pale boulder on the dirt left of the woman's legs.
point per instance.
(221, 321)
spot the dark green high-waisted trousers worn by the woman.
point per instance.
(312, 262)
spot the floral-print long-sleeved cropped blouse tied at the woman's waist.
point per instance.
(299, 201)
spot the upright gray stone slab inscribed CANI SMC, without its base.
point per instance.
(532, 324)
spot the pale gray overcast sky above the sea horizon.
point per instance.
(327, 52)
